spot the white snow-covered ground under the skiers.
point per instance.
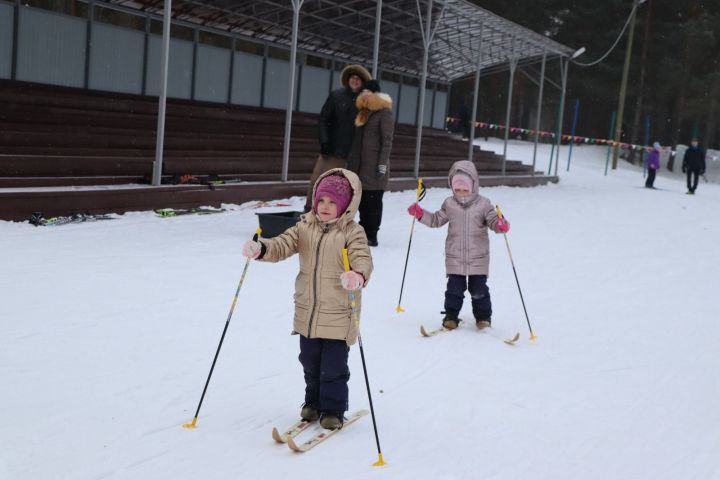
(109, 329)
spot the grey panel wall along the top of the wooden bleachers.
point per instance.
(51, 48)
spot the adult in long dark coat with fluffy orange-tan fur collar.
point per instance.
(370, 157)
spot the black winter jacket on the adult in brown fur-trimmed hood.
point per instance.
(336, 123)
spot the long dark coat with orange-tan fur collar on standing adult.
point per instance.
(375, 127)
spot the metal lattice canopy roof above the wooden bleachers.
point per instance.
(344, 30)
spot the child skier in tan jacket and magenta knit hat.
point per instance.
(323, 314)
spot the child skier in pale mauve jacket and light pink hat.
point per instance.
(469, 215)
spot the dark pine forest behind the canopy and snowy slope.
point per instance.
(674, 76)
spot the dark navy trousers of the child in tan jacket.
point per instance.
(326, 372)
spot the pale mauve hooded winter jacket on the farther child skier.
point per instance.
(467, 247)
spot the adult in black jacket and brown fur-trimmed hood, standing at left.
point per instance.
(336, 125)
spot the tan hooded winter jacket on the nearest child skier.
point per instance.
(322, 306)
